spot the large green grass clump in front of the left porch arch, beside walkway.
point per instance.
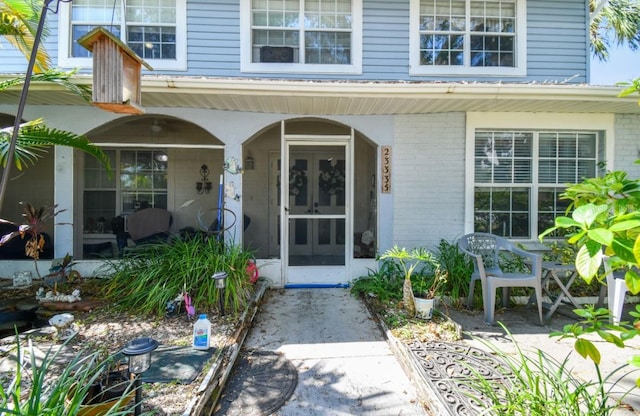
(146, 279)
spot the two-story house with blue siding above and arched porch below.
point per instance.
(359, 124)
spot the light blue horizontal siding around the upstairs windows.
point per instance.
(557, 43)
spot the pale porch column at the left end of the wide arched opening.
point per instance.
(63, 197)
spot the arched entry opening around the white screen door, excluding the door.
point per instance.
(260, 199)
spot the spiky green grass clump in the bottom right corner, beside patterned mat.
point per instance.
(537, 384)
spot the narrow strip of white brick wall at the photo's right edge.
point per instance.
(627, 145)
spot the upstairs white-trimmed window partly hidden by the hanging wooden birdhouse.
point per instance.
(153, 29)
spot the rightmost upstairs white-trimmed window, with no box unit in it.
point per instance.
(468, 37)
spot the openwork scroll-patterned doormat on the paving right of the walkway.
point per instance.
(447, 369)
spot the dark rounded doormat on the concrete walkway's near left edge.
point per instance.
(260, 383)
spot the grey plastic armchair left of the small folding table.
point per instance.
(484, 249)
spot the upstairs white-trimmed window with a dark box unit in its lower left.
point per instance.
(301, 36)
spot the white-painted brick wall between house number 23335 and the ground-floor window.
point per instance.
(428, 179)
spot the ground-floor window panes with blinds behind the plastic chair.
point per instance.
(519, 176)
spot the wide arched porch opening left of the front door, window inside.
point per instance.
(164, 156)
